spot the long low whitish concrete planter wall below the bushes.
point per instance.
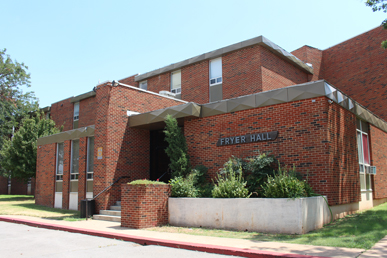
(271, 215)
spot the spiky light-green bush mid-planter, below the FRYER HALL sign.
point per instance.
(230, 183)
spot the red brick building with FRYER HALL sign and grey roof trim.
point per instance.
(321, 110)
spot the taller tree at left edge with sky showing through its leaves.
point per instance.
(14, 104)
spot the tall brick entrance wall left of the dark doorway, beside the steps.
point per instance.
(125, 150)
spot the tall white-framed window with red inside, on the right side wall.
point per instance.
(364, 155)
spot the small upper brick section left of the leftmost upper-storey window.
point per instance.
(62, 113)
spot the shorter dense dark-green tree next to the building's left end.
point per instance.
(20, 152)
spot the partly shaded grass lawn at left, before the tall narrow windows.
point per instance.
(25, 205)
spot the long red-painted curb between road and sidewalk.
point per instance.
(167, 243)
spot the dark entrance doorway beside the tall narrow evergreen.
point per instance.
(159, 160)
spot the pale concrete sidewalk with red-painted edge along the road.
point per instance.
(229, 246)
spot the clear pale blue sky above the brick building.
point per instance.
(70, 46)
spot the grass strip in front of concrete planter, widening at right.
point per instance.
(360, 230)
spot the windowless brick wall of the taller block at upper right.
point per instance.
(357, 67)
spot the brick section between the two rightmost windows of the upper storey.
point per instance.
(195, 83)
